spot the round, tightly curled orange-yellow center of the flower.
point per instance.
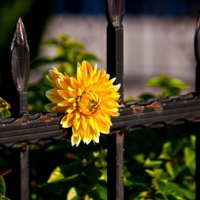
(89, 103)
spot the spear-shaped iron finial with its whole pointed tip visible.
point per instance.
(20, 57)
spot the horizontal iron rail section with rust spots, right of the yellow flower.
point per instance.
(157, 113)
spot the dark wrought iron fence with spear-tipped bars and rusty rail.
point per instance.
(24, 129)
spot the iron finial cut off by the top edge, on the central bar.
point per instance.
(115, 11)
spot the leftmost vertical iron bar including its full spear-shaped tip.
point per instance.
(20, 74)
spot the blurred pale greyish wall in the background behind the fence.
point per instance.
(151, 46)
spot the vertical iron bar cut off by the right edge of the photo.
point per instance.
(197, 56)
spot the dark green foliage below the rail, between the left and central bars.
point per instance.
(69, 173)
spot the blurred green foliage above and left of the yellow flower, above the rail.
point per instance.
(68, 53)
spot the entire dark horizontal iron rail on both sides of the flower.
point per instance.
(136, 114)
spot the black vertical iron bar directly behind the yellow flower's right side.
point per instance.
(115, 14)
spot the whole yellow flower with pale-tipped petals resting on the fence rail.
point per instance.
(88, 100)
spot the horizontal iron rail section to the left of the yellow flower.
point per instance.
(37, 129)
